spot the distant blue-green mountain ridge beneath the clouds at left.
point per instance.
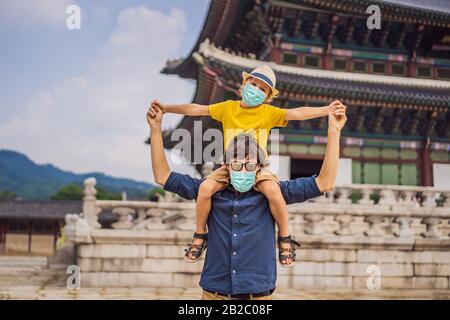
(32, 181)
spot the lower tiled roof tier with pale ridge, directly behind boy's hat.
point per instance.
(402, 90)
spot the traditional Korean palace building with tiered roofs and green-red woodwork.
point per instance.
(395, 80)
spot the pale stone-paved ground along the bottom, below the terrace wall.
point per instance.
(29, 278)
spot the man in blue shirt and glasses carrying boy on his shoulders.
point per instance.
(240, 262)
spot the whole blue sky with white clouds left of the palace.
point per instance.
(77, 98)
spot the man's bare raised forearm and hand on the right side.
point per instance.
(327, 176)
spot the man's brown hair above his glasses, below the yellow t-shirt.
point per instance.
(244, 146)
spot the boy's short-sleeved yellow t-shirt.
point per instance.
(256, 121)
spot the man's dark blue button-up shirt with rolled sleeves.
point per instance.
(241, 234)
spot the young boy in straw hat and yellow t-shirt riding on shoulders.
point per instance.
(251, 115)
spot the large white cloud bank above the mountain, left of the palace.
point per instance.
(96, 121)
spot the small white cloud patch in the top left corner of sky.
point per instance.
(33, 13)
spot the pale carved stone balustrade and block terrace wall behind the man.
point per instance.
(403, 231)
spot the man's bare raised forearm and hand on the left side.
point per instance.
(161, 169)
